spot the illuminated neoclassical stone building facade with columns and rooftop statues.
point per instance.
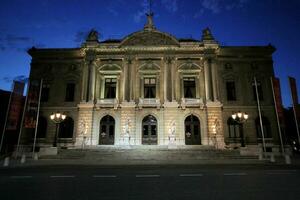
(151, 88)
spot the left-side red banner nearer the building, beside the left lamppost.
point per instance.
(32, 104)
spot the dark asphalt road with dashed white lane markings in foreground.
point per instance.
(150, 182)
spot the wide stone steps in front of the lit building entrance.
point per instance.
(150, 154)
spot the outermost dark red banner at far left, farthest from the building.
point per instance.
(15, 108)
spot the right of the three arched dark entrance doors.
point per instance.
(192, 130)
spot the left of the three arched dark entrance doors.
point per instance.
(107, 131)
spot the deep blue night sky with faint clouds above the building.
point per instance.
(65, 23)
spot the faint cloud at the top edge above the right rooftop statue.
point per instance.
(217, 6)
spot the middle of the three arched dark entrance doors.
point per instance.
(149, 127)
